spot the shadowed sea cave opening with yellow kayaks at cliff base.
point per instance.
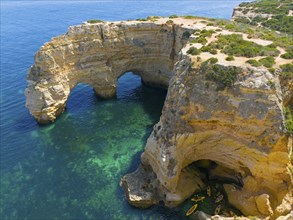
(210, 178)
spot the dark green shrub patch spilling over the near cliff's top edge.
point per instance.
(224, 76)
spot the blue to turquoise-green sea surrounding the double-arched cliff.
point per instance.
(71, 169)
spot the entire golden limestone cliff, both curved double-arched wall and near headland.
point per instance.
(228, 112)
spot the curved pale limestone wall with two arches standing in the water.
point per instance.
(97, 54)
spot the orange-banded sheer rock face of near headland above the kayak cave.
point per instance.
(239, 128)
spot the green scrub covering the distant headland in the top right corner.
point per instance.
(279, 21)
